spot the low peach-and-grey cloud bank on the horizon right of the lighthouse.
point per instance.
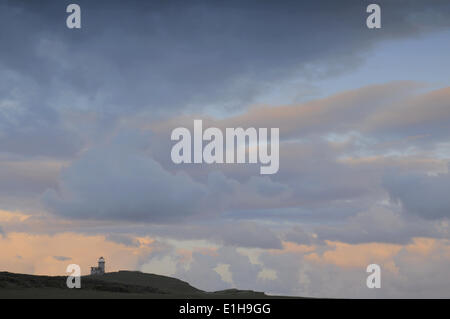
(333, 270)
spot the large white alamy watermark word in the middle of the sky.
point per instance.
(239, 144)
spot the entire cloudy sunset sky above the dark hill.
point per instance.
(86, 117)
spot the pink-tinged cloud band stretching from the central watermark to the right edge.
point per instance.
(378, 112)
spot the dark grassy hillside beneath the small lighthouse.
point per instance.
(122, 284)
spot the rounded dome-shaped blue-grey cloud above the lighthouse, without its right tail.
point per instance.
(116, 182)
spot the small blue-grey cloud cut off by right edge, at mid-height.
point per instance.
(420, 194)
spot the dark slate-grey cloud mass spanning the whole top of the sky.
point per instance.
(164, 55)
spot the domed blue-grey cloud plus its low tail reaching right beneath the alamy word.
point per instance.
(120, 181)
